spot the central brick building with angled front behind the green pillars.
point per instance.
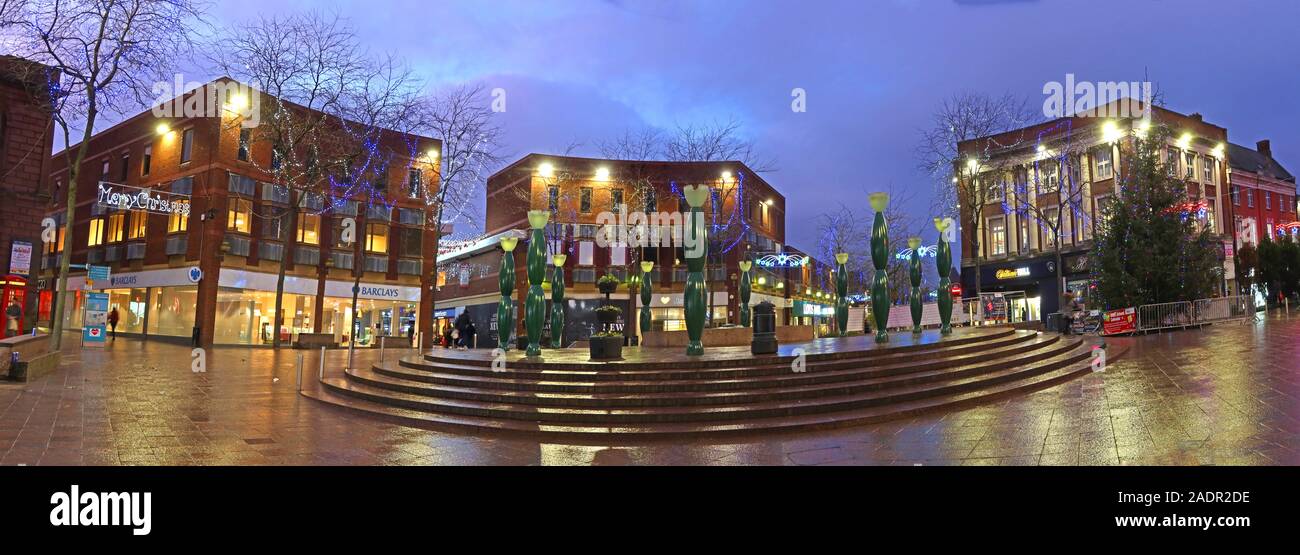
(592, 197)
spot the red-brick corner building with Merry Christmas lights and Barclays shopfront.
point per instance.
(237, 233)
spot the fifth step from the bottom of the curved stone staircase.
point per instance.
(757, 366)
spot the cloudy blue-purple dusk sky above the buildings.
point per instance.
(580, 71)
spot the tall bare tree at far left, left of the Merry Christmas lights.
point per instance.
(101, 58)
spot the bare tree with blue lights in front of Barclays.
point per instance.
(331, 114)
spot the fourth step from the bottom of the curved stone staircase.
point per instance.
(814, 375)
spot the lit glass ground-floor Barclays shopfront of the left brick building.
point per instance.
(164, 305)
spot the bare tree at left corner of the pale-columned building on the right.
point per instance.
(967, 116)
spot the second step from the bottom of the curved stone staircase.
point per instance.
(713, 413)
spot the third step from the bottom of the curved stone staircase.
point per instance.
(792, 387)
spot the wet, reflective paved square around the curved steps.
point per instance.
(1225, 396)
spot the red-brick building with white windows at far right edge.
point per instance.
(1263, 194)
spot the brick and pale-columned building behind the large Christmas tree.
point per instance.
(1024, 167)
